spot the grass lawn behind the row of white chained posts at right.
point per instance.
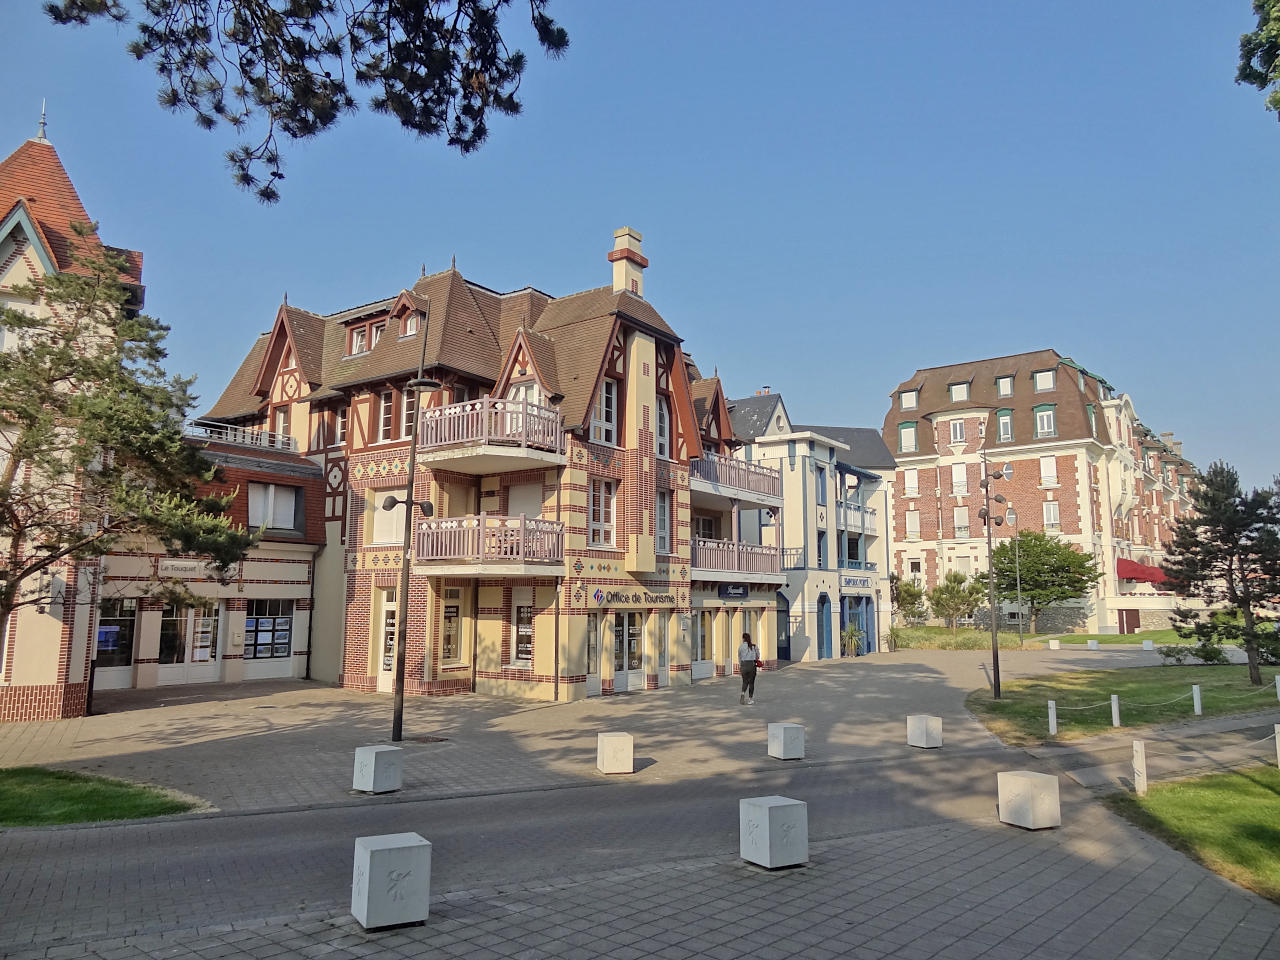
(1022, 715)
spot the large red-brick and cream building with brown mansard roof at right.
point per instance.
(1085, 469)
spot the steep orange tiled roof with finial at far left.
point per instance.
(35, 175)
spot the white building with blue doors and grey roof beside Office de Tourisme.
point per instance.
(835, 551)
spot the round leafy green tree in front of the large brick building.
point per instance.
(1052, 572)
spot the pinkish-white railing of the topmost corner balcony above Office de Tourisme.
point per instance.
(491, 420)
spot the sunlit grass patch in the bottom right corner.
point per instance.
(1227, 821)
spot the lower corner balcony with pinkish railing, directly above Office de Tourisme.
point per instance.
(487, 545)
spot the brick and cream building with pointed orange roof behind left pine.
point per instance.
(106, 623)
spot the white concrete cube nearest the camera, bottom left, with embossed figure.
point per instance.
(392, 880)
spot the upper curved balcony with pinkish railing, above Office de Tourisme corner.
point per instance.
(492, 436)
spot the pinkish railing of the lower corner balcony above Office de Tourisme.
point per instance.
(491, 540)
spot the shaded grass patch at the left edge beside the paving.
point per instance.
(34, 797)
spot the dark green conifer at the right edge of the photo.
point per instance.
(1227, 552)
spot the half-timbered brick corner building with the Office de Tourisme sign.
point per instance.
(557, 456)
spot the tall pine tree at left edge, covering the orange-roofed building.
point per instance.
(92, 440)
